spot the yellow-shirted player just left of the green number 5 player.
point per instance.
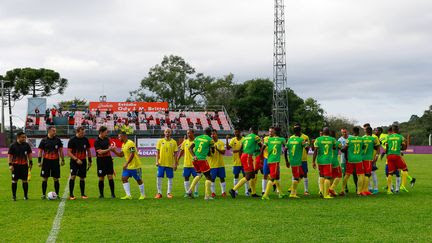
(188, 168)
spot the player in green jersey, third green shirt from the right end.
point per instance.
(354, 147)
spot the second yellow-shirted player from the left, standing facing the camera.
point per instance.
(166, 161)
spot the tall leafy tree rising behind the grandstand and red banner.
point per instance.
(177, 82)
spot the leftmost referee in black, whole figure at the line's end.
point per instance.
(20, 161)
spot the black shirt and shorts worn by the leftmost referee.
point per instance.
(19, 152)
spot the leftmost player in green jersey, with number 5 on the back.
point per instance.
(202, 147)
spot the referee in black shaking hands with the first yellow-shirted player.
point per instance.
(104, 161)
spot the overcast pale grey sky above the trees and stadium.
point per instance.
(366, 60)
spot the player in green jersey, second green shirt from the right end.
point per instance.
(371, 146)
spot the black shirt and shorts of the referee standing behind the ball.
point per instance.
(50, 165)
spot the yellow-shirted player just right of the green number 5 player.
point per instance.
(217, 166)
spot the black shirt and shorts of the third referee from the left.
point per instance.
(79, 148)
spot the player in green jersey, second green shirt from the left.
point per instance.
(247, 151)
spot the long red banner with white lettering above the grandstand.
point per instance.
(128, 106)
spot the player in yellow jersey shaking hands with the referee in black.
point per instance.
(132, 167)
